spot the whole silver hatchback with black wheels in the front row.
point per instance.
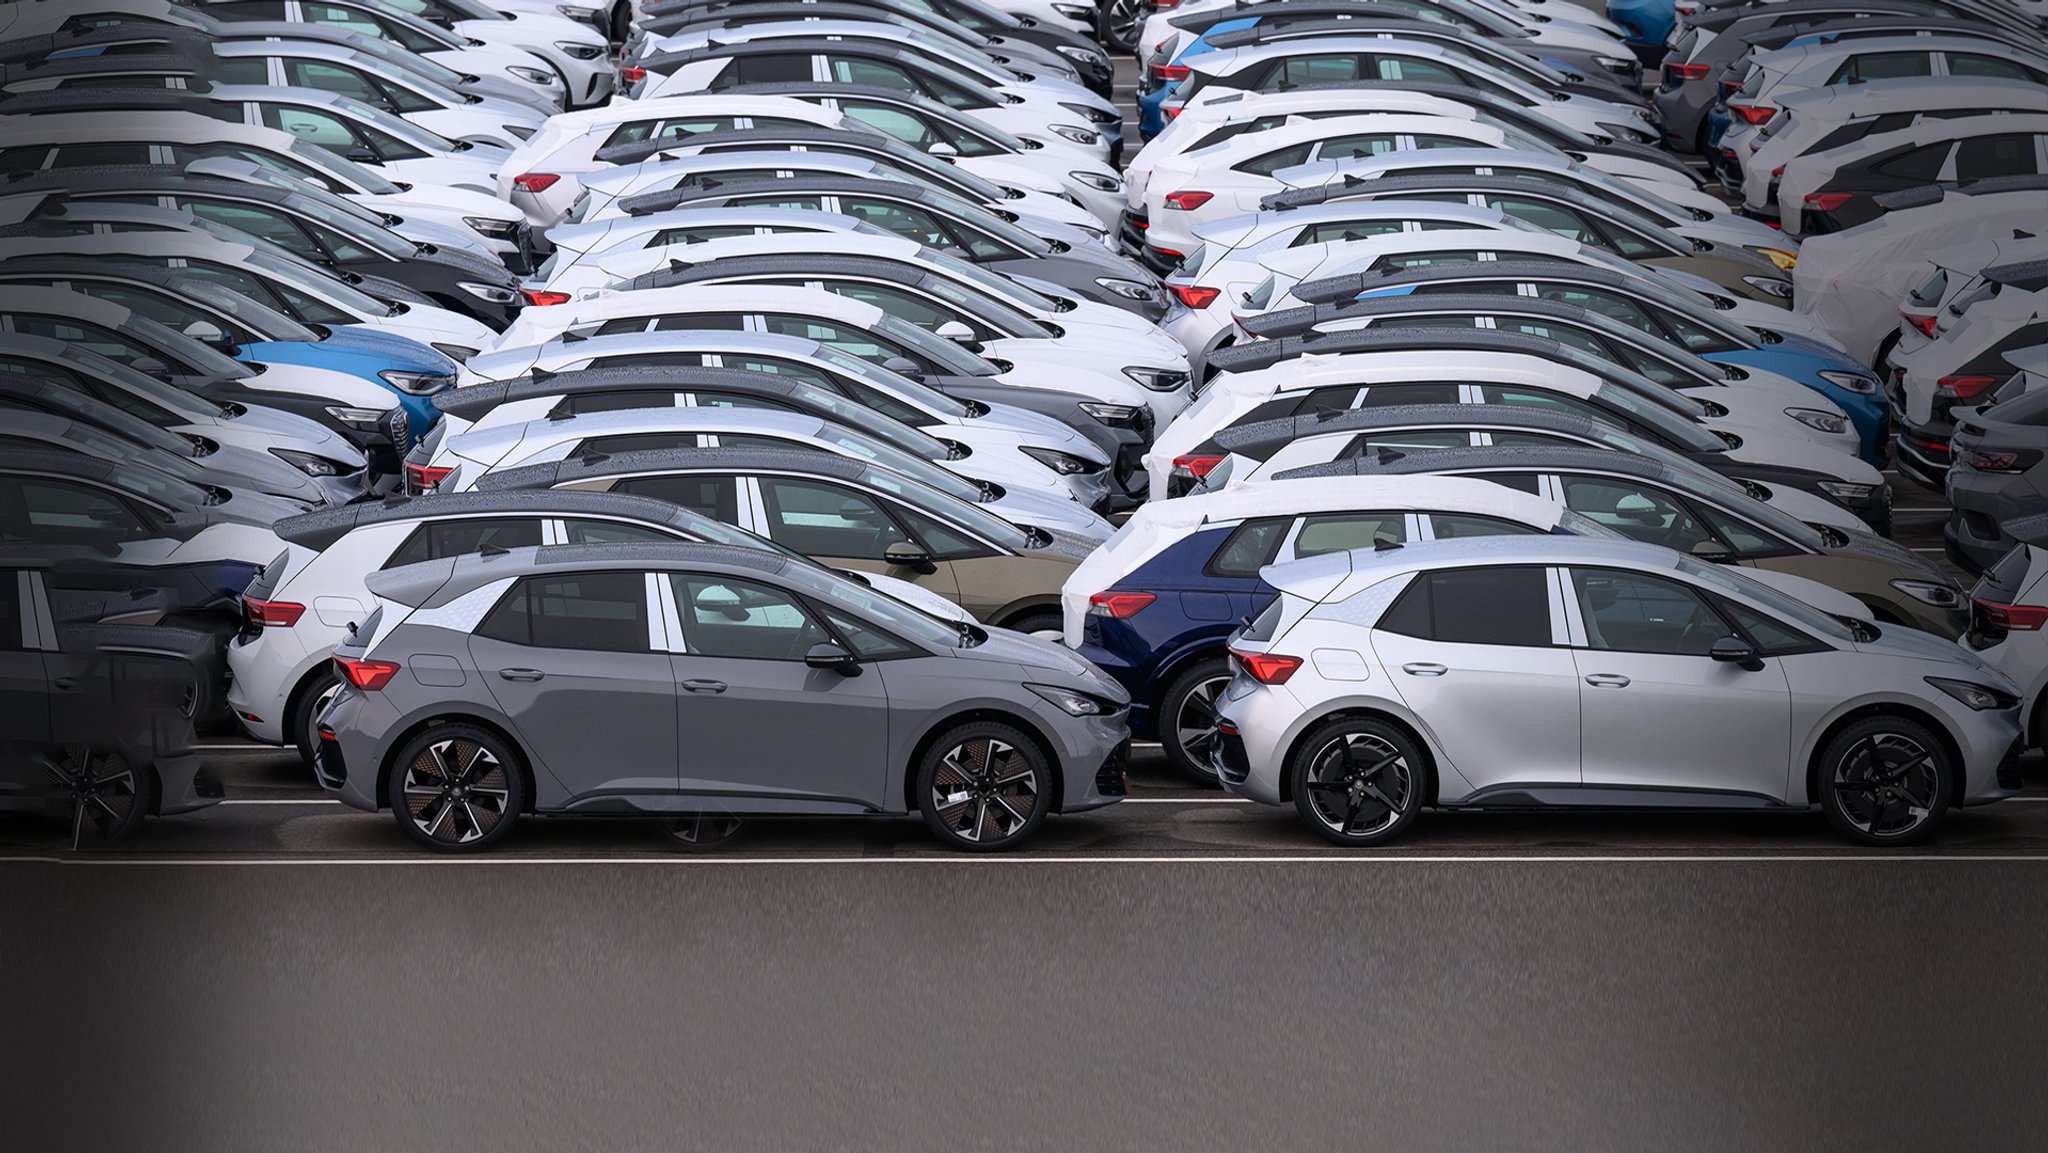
(1531, 673)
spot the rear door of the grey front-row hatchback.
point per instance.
(579, 663)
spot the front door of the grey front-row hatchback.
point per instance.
(755, 724)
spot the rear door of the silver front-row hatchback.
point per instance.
(1480, 658)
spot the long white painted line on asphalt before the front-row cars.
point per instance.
(986, 861)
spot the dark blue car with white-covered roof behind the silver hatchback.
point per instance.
(1156, 603)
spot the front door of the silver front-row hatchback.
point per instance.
(1656, 710)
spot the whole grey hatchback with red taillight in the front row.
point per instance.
(697, 685)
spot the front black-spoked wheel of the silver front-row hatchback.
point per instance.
(1887, 781)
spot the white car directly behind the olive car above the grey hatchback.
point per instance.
(470, 456)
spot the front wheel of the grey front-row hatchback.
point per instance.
(984, 787)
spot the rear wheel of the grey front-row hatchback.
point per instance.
(458, 789)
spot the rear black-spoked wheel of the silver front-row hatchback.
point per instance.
(1359, 781)
